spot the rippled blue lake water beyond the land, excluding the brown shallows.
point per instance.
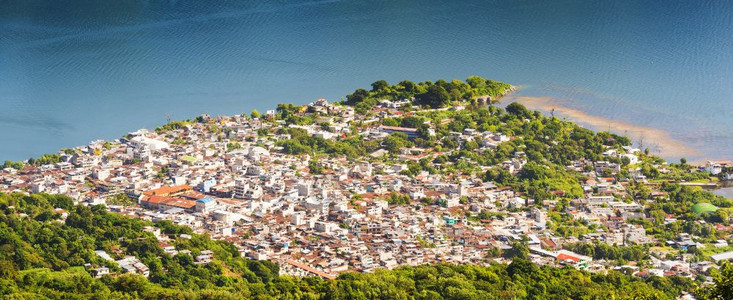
(76, 71)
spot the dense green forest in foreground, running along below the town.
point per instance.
(46, 241)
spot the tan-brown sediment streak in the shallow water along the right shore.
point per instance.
(663, 142)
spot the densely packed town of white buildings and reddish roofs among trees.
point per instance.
(322, 215)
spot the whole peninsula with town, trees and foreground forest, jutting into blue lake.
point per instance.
(424, 190)
